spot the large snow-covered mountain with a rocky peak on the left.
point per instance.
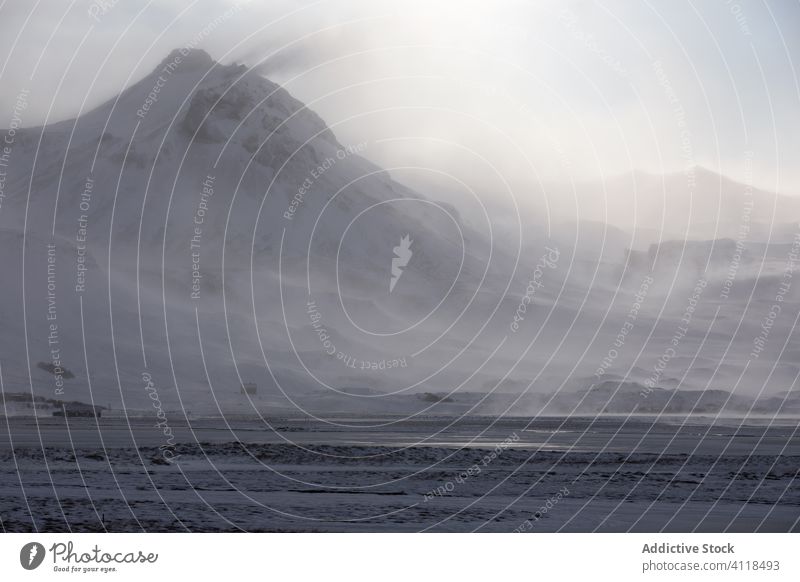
(205, 198)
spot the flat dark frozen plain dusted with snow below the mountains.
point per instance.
(384, 474)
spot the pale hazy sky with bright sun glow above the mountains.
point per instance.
(539, 90)
